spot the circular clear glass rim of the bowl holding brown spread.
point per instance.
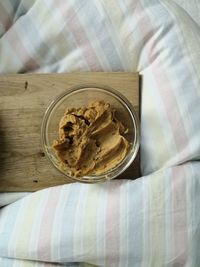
(123, 100)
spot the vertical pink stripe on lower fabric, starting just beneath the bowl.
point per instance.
(112, 250)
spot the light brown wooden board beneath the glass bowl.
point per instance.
(23, 101)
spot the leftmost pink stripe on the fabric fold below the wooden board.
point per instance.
(47, 223)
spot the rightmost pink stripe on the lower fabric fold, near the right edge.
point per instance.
(179, 216)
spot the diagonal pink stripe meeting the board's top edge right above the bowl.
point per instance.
(79, 34)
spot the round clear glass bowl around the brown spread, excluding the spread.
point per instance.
(82, 95)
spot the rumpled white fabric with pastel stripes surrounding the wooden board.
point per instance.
(154, 220)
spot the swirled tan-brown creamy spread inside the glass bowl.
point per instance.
(91, 140)
